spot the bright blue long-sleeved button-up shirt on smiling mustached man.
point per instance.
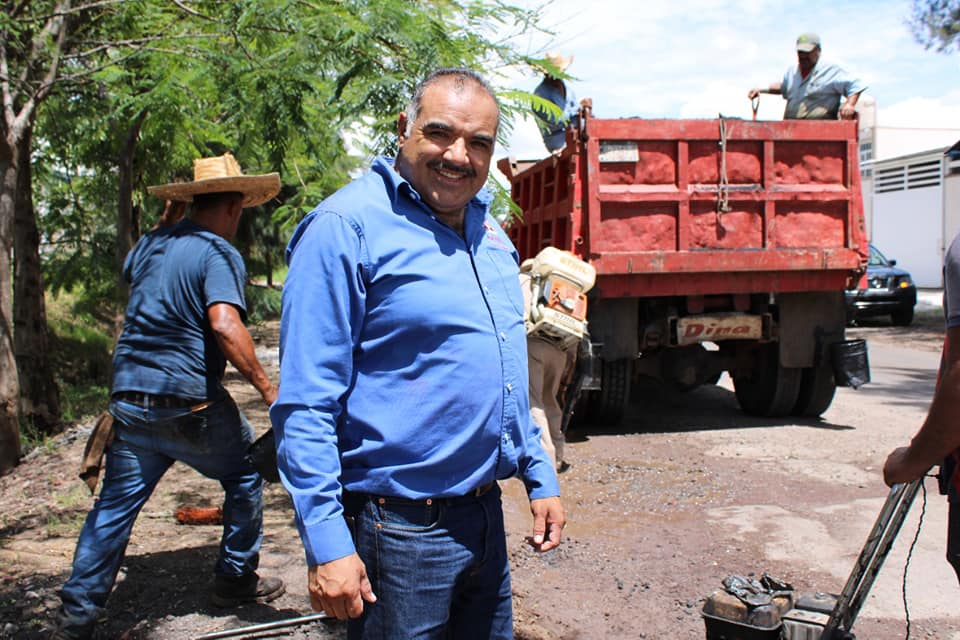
(403, 360)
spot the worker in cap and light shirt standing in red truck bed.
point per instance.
(814, 89)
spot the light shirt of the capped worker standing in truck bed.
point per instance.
(817, 97)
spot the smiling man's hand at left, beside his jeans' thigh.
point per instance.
(339, 587)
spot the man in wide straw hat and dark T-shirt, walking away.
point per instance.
(184, 321)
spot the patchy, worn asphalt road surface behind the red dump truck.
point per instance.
(689, 490)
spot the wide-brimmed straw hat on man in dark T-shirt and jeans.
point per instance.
(221, 174)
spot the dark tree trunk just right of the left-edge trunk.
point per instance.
(39, 401)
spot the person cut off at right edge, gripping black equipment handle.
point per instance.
(938, 440)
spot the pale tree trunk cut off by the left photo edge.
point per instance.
(9, 384)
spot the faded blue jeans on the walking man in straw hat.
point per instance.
(147, 442)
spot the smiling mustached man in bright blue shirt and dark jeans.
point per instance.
(404, 395)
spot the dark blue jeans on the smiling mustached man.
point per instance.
(439, 568)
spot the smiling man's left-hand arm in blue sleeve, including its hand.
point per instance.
(318, 367)
